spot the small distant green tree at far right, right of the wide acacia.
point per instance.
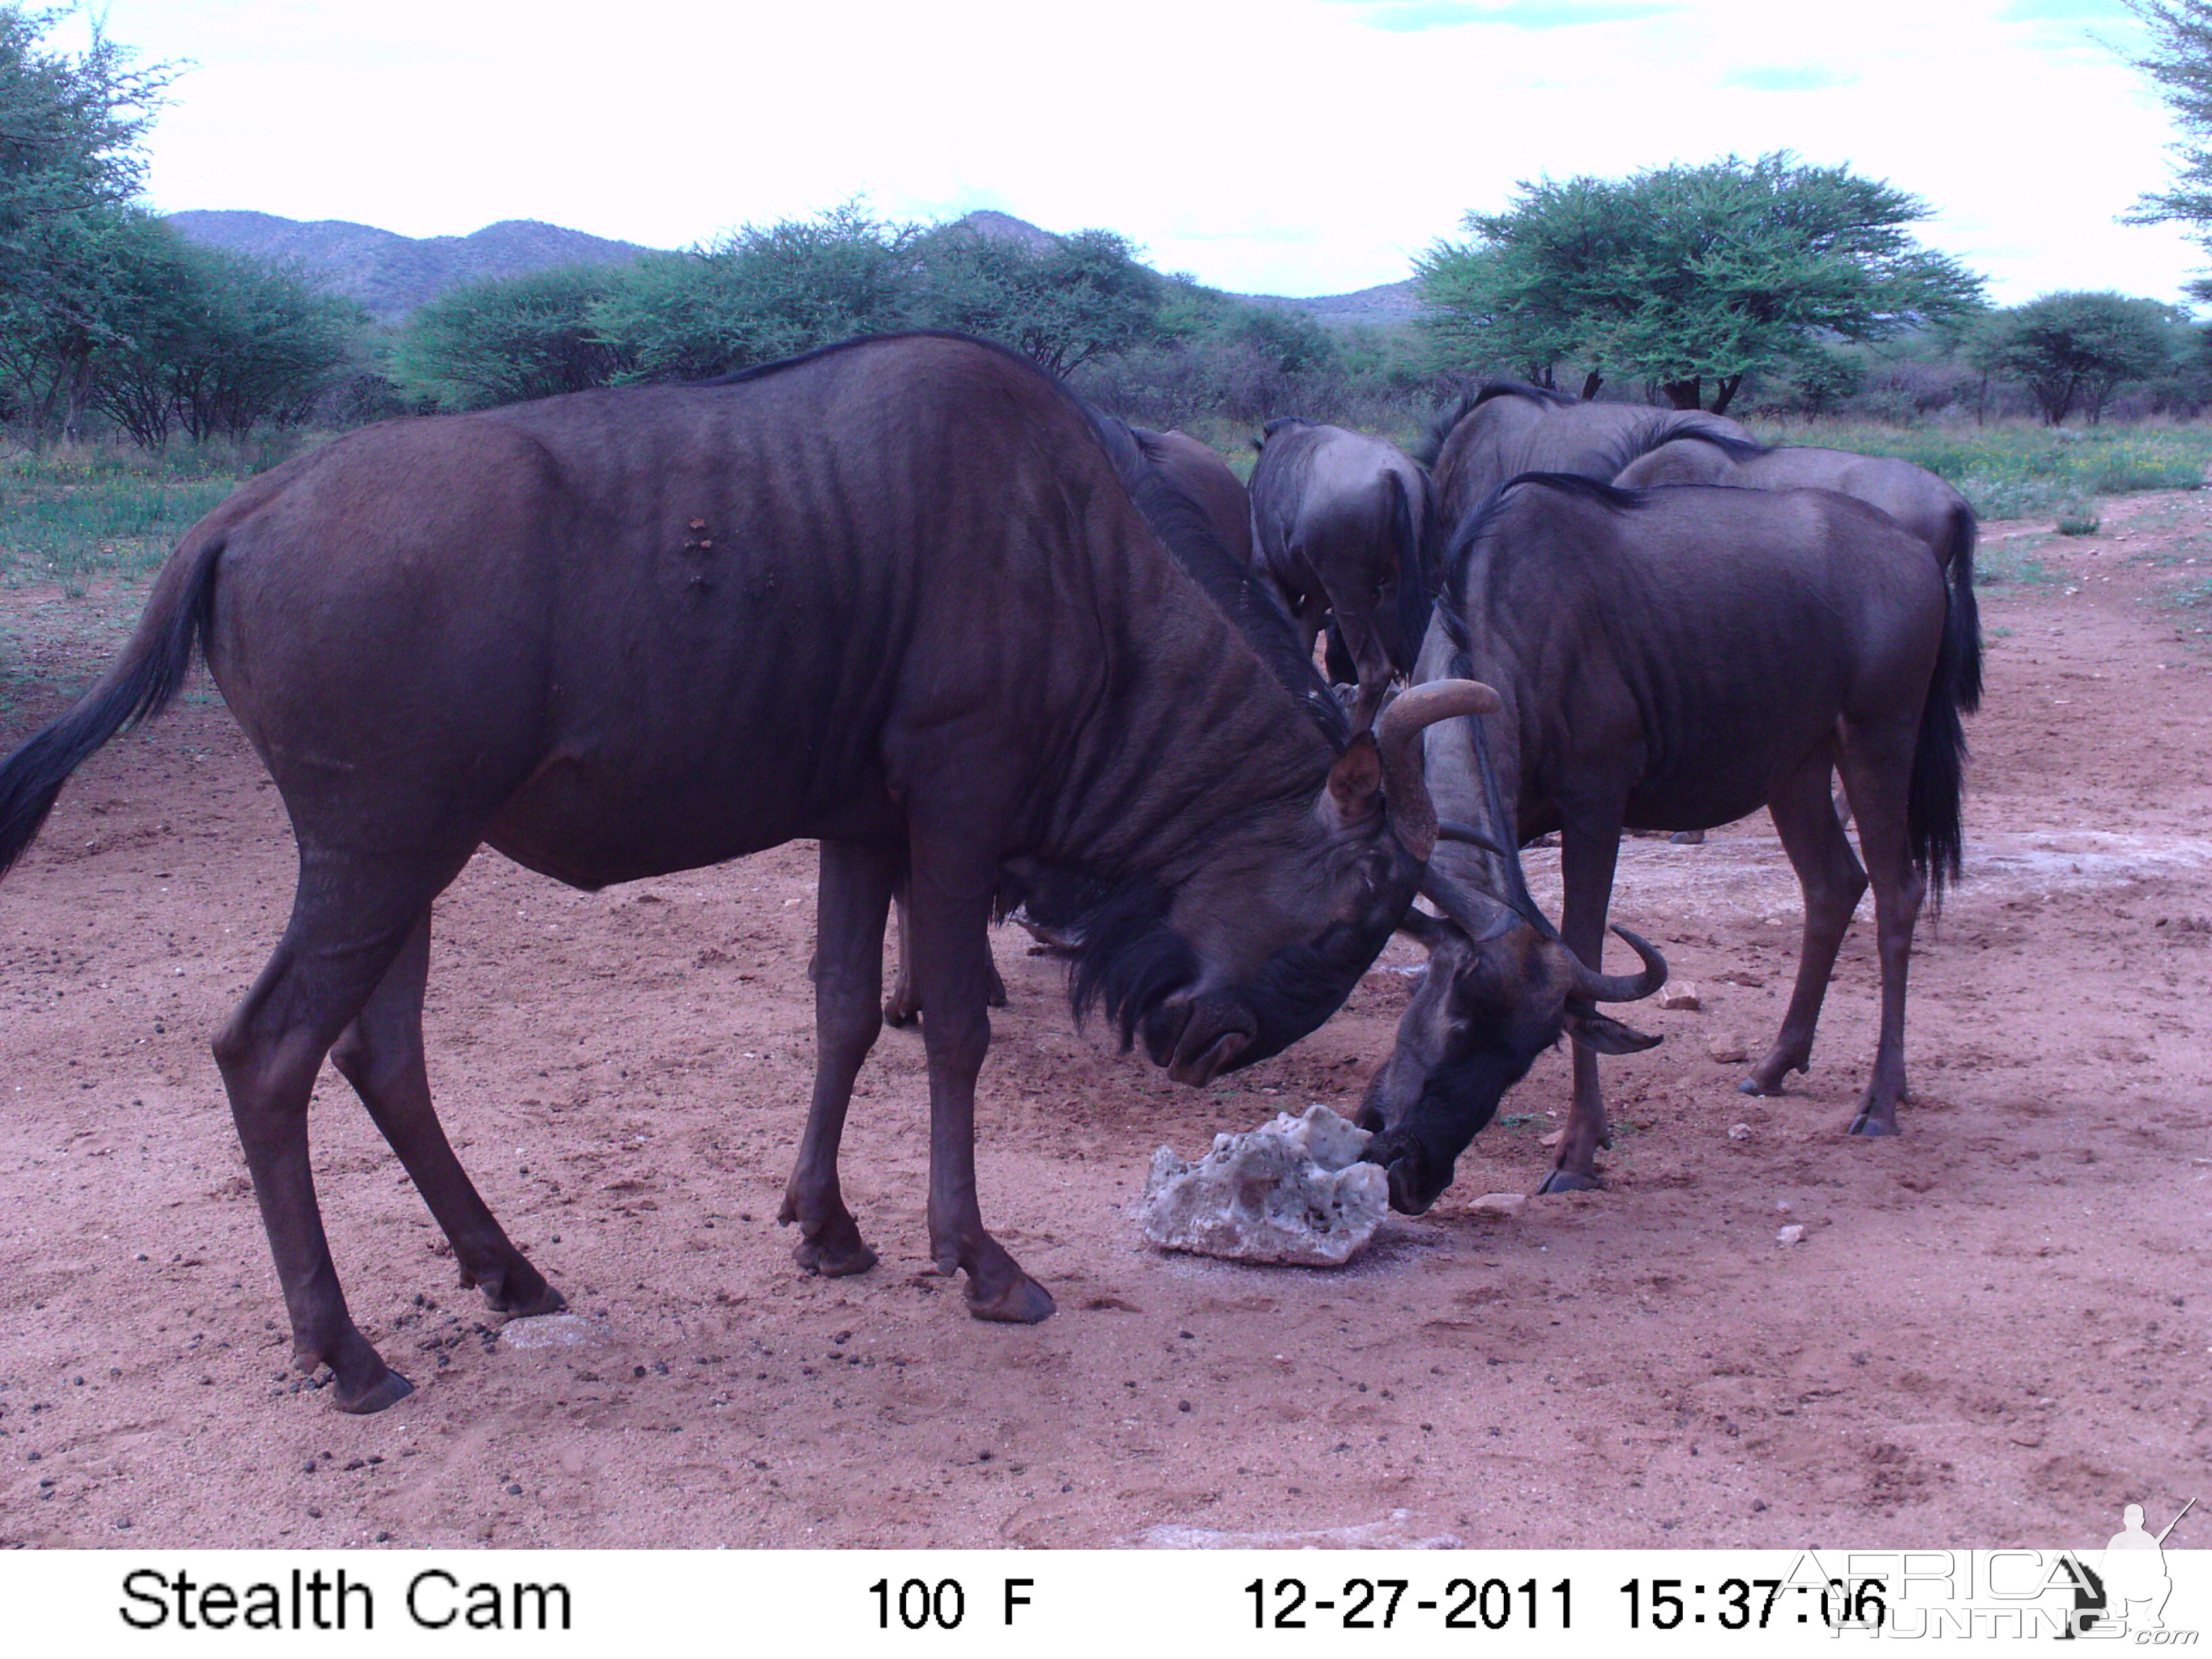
(2074, 351)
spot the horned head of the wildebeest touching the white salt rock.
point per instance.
(1501, 990)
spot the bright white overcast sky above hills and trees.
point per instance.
(1293, 147)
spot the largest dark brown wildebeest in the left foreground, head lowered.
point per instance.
(895, 596)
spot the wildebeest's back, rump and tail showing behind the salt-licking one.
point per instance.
(1923, 503)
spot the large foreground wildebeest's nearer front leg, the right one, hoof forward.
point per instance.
(952, 954)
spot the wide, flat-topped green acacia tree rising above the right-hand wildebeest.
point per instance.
(1689, 275)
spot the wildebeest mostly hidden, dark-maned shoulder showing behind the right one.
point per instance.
(1510, 428)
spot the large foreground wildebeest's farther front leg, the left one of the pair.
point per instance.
(853, 897)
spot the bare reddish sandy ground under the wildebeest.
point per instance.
(1994, 1333)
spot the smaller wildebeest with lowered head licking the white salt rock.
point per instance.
(1671, 660)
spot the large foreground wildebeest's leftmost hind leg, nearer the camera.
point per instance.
(351, 919)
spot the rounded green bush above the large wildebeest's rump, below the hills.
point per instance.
(510, 342)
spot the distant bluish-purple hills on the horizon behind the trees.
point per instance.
(393, 275)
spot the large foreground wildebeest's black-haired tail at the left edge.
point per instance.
(136, 687)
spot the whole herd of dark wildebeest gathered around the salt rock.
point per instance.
(997, 654)
